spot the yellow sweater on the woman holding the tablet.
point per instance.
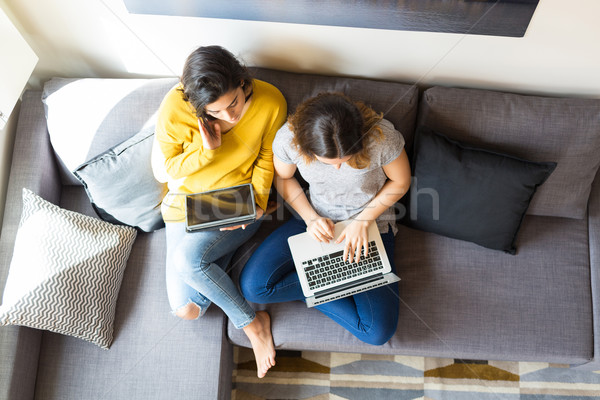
(245, 154)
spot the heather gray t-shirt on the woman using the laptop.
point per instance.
(340, 194)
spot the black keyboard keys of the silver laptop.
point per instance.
(328, 269)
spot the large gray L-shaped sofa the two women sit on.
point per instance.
(458, 300)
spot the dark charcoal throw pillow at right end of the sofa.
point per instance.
(470, 193)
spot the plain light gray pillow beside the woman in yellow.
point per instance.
(121, 185)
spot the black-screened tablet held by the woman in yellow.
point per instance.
(220, 208)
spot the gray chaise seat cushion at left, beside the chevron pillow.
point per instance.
(152, 352)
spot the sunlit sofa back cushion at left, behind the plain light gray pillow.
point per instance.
(86, 117)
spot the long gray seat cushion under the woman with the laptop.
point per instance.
(459, 299)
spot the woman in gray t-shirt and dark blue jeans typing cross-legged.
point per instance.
(357, 168)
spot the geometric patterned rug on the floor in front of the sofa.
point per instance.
(338, 376)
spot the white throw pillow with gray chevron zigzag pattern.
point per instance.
(66, 272)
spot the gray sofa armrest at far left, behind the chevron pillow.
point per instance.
(33, 167)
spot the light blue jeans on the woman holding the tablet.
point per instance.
(196, 270)
